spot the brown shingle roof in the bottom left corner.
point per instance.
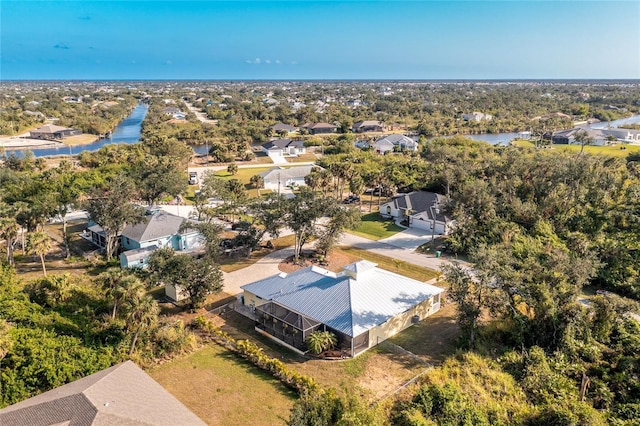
(121, 395)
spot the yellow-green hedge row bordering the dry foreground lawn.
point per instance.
(254, 354)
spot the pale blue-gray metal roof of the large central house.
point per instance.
(350, 302)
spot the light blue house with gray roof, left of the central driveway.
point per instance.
(160, 229)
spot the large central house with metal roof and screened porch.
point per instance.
(362, 305)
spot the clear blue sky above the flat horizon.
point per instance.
(319, 40)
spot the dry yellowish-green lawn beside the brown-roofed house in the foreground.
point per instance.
(223, 389)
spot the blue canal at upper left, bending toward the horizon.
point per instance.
(127, 131)
